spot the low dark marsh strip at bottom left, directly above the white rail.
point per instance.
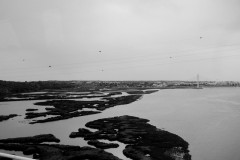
(59, 152)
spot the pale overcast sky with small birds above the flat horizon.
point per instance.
(119, 39)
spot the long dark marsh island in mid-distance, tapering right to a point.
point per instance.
(65, 109)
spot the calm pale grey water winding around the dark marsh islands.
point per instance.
(208, 119)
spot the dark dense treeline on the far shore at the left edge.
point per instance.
(10, 87)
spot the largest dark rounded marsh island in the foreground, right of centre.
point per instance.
(143, 140)
